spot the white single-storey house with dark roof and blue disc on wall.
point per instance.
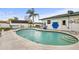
(63, 21)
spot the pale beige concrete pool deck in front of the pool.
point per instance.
(11, 41)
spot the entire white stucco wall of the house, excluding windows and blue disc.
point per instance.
(72, 26)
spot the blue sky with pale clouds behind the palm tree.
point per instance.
(6, 13)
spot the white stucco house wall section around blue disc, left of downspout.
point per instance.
(59, 20)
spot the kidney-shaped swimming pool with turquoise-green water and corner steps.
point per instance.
(47, 38)
